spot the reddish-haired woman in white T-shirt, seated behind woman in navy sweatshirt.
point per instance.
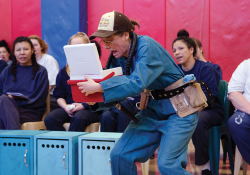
(49, 63)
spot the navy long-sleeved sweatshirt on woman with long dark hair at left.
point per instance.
(35, 89)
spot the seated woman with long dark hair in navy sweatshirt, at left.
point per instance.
(25, 77)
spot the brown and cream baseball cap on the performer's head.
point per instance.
(111, 23)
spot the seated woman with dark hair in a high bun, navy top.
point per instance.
(184, 49)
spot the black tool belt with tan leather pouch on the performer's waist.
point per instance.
(186, 98)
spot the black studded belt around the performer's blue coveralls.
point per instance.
(162, 94)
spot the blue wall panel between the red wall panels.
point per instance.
(60, 20)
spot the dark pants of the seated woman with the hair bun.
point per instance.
(207, 119)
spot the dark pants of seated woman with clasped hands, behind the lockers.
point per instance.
(54, 120)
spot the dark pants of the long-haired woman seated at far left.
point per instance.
(12, 116)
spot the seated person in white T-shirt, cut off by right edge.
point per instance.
(239, 122)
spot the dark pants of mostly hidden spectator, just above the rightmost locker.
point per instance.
(113, 120)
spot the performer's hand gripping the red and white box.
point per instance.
(90, 86)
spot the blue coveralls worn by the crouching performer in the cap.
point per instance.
(158, 125)
